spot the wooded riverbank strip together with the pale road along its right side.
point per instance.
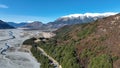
(41, 56)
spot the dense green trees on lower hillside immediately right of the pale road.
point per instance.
(65, 54)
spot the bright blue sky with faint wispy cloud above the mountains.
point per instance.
(49, 10)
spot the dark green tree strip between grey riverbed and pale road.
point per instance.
(44, 61)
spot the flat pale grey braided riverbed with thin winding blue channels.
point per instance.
(15, 56)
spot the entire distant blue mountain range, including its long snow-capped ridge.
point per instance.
(62, 21)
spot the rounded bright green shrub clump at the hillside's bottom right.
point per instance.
(101, 61)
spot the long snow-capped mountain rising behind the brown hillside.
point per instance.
(78, 18)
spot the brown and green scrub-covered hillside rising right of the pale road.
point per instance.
(87, 45)
